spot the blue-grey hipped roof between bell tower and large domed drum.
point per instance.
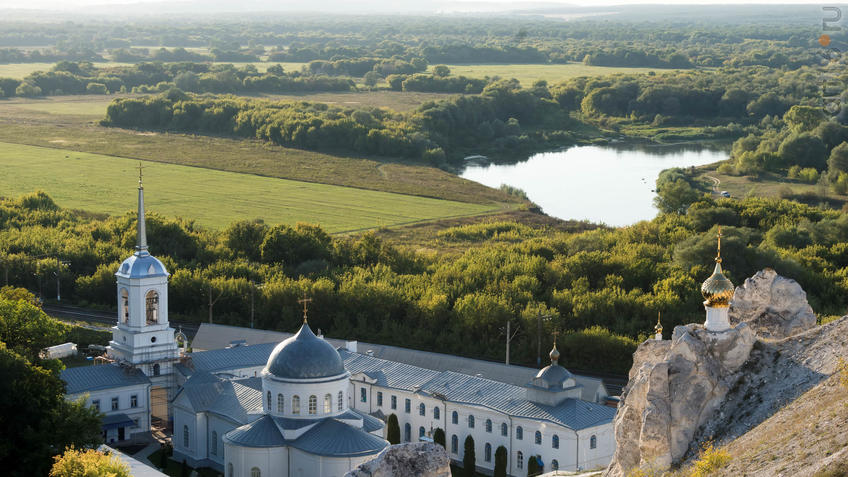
(236, 399)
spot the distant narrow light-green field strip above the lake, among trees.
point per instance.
(528, 74)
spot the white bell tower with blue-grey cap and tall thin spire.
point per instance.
(143, 338)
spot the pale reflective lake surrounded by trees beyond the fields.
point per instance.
(604, 184)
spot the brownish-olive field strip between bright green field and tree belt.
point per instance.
(70, 122)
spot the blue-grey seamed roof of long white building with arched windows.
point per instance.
(462, 388)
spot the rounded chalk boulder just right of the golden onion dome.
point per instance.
(774, 306)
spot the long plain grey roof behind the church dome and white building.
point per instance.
(212, 336)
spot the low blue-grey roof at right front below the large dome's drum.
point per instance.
(333, 438)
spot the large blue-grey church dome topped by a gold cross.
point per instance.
(305, 356)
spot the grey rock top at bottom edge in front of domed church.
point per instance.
(420, 459)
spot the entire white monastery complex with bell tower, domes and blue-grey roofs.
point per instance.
(302, 407)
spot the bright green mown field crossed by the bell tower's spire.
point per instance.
(105, 184)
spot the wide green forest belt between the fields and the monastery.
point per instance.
(602, 287)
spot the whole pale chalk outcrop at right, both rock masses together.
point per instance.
(683, 390)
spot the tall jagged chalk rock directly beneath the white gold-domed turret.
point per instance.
(674, 388)
